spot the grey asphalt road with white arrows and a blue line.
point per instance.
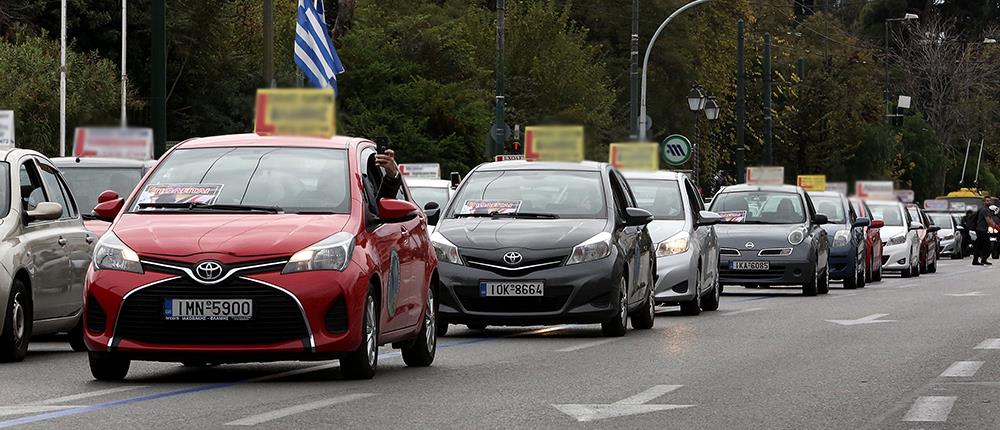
(905, 353)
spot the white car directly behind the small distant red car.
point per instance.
(901, 250)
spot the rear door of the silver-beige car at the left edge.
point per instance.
(77, 239)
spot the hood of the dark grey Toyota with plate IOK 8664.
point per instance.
(492, 234)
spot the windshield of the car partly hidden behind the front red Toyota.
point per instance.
(89, 182)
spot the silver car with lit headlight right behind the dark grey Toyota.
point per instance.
(687, 248)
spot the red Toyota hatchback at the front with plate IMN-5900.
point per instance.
(251, 248)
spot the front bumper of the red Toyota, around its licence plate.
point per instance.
(304, 316)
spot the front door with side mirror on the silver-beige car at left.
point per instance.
(46, 258)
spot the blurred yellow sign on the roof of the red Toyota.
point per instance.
(296, 111)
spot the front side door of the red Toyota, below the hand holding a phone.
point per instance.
(387, 240)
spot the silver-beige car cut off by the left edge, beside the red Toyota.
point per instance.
(44, 253)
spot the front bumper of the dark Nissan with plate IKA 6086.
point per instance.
(783, 271)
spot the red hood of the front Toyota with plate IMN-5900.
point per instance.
(238, 235)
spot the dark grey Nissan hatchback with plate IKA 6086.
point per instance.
(771, 235)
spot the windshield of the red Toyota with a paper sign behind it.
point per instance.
(292, 179)
